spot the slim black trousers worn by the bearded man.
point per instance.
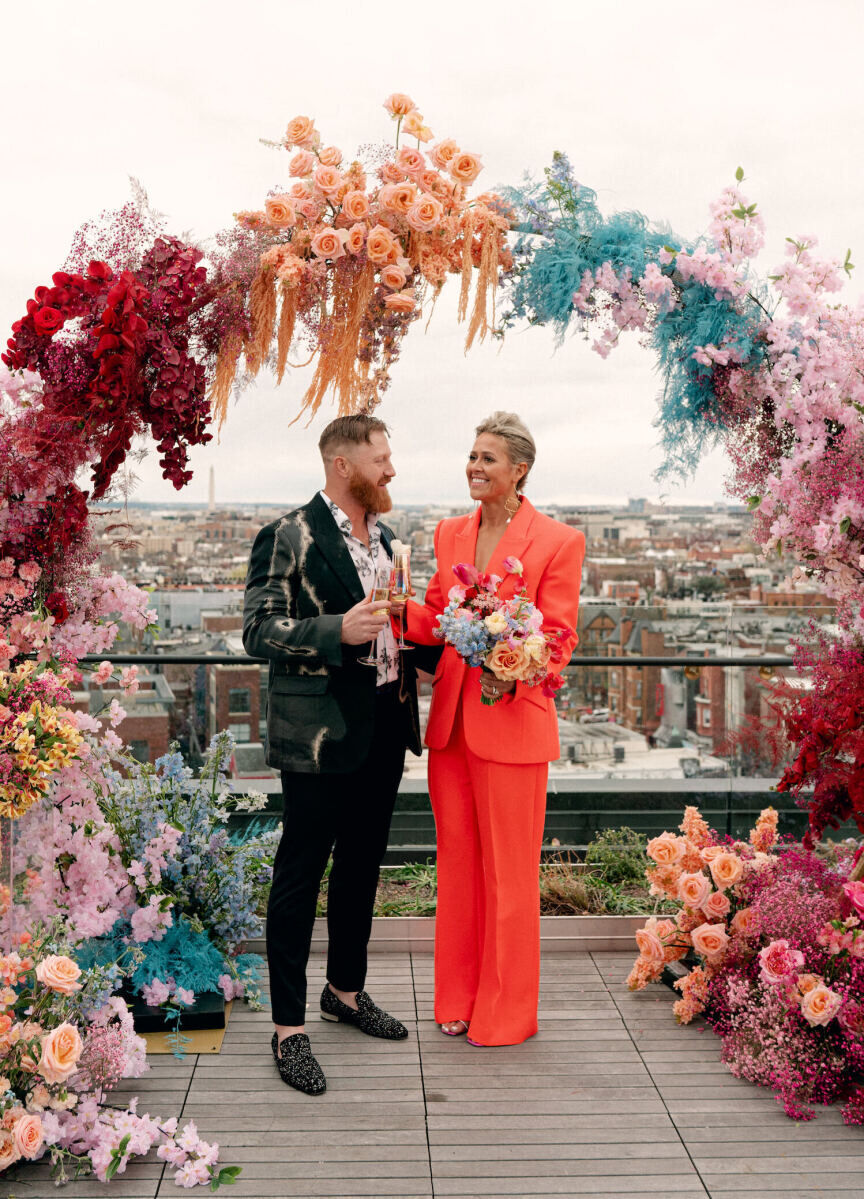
(348, 816)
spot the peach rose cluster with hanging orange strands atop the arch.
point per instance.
(348, 251)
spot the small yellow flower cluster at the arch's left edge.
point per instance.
(34, 746)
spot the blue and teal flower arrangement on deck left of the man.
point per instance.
(200, 894)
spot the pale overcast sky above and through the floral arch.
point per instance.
(655, 104)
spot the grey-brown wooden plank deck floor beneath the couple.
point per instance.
(611, 1100)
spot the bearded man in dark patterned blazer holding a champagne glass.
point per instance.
(337, 730)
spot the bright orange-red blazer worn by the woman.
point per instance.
(523, 727)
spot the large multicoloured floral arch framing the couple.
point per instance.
(141, 335)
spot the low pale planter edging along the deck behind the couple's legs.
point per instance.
(559, 935)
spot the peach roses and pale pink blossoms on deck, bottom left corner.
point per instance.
(65, 1045)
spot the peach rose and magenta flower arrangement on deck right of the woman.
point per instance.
(776, 943)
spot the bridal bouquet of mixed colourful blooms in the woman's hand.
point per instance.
(505, 637)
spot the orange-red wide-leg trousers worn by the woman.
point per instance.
(490, 820)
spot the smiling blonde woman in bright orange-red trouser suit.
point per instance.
(488, 767)
